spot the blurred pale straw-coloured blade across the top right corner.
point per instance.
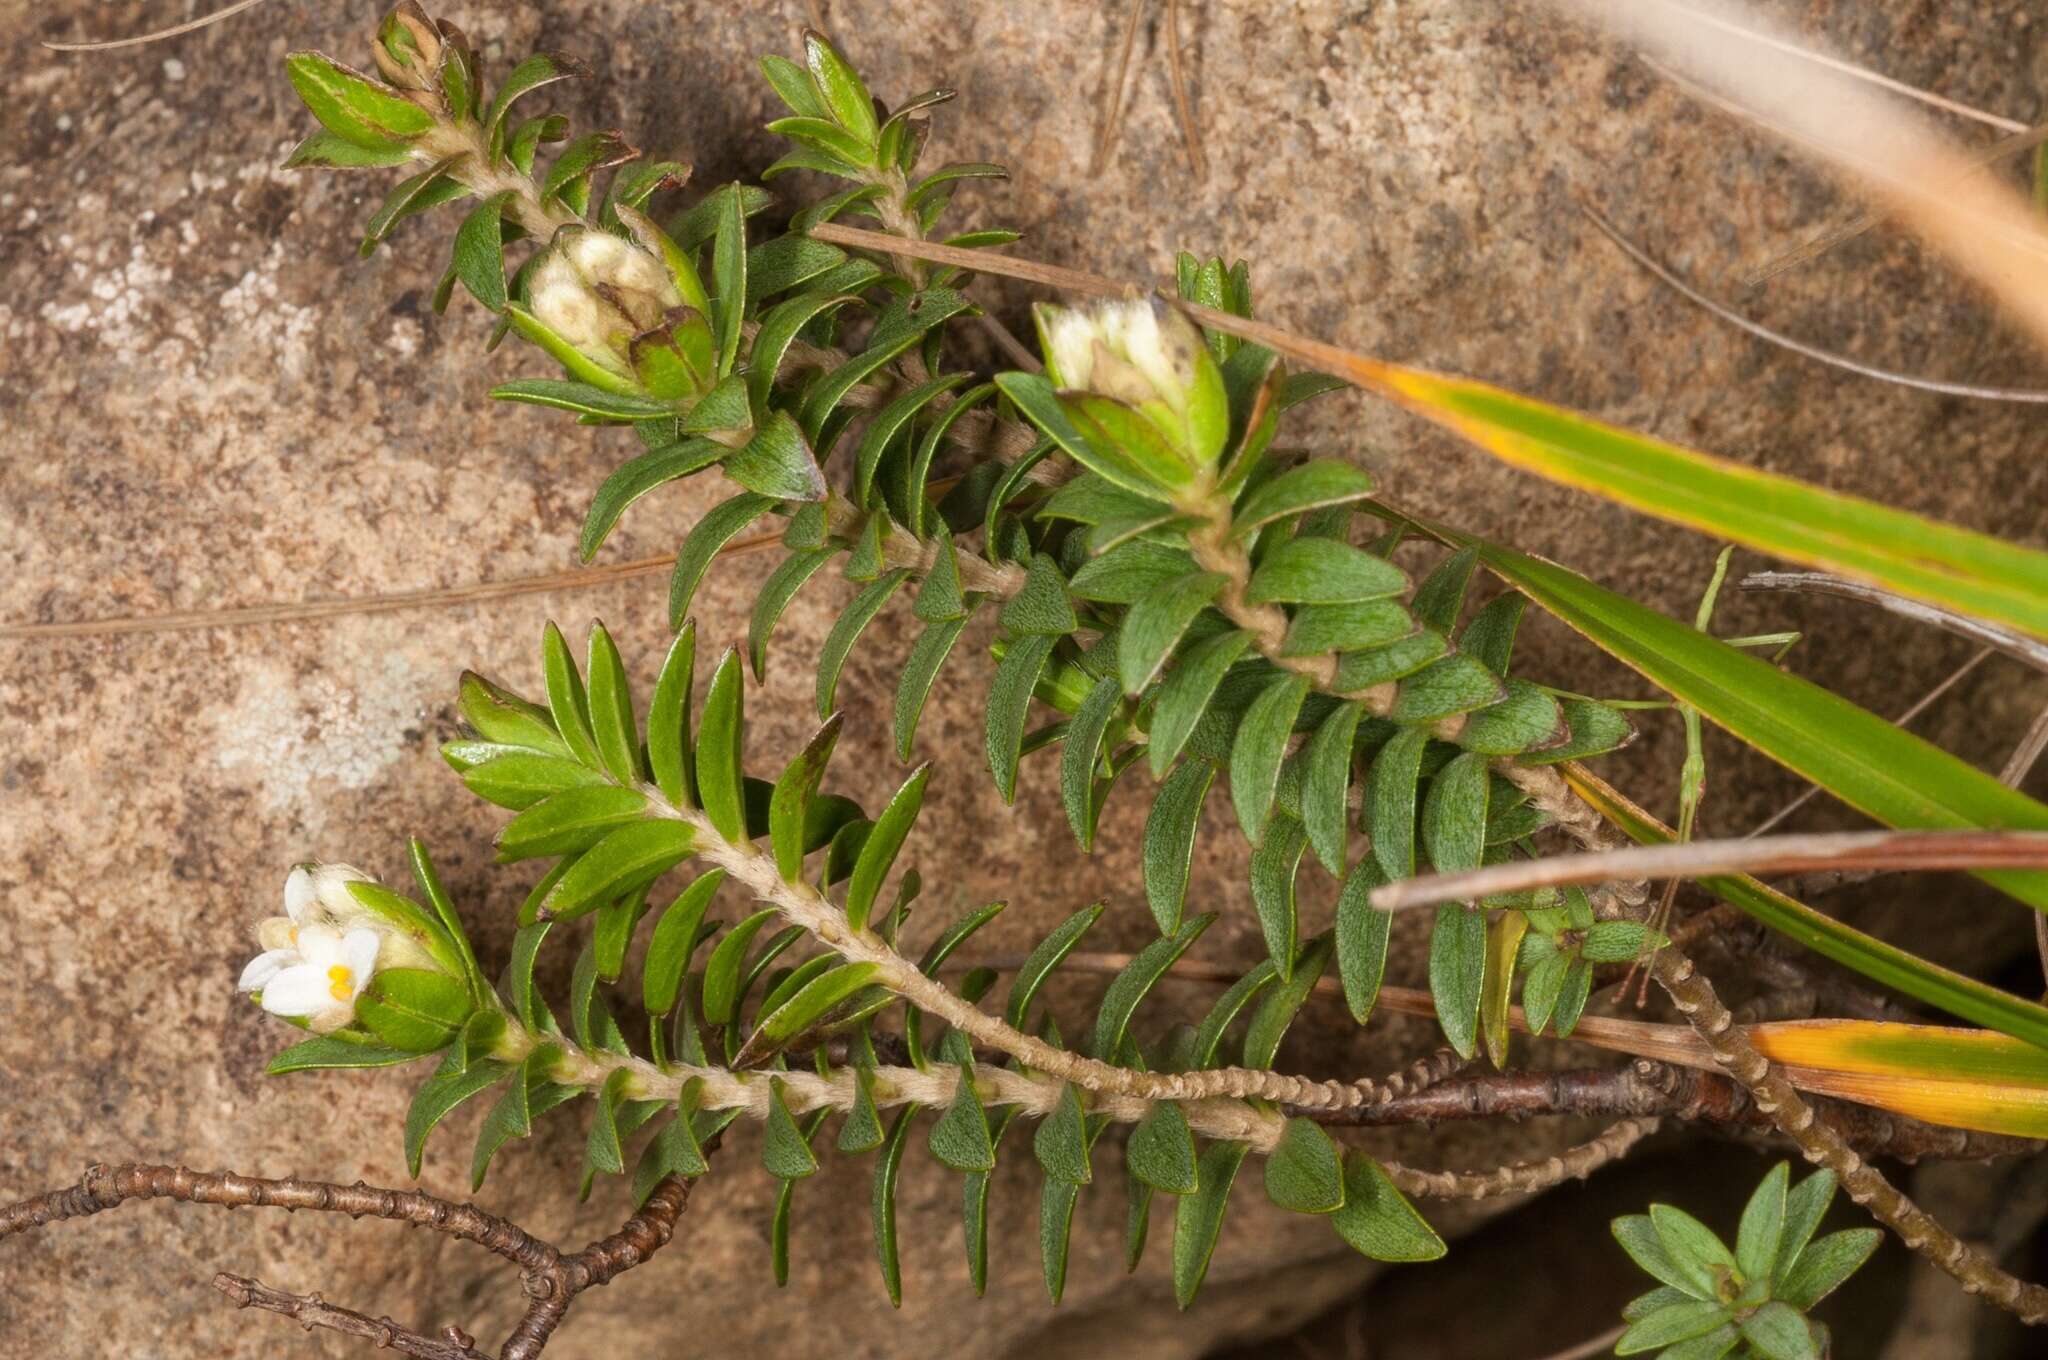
(1926, 181)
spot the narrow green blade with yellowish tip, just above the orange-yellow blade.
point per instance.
(1824, 935)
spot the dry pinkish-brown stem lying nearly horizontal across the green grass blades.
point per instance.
(1754, 855)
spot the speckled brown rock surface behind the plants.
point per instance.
(206, 402)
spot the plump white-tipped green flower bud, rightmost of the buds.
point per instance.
(1136, 376)
